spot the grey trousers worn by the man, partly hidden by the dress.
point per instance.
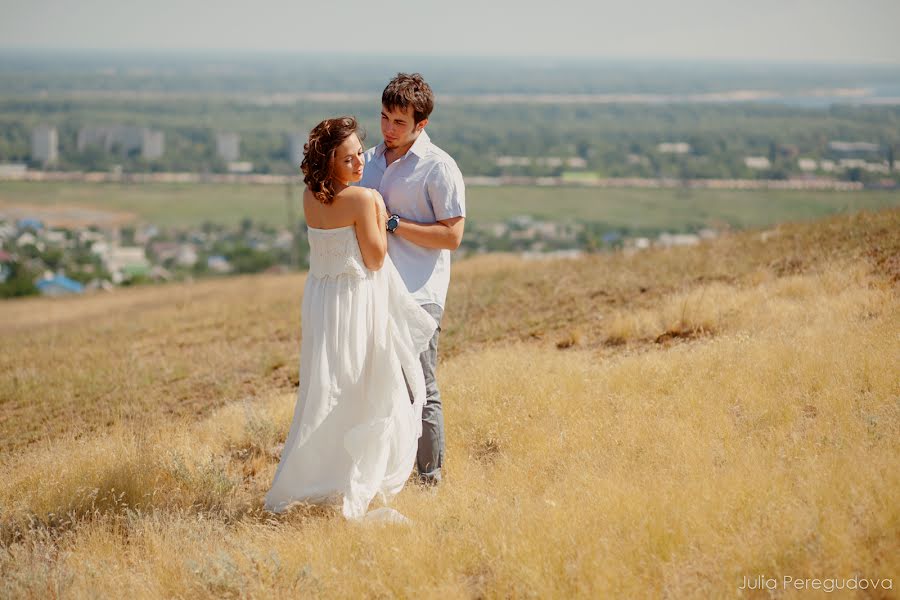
(430, 456)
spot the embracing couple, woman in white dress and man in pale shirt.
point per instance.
(368, 408)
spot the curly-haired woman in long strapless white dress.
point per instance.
(354, 434)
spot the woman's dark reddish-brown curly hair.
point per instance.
(318, 153)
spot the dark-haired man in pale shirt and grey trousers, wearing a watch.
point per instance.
(423, 191)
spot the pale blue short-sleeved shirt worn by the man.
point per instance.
(426, 186)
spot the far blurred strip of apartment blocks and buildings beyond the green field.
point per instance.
(853, 164)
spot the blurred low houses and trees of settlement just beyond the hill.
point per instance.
(39, 259)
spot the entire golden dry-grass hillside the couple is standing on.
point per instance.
(662, 424)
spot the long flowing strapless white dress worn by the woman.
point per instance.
(355, 433)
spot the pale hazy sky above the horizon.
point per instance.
(790, 30)
